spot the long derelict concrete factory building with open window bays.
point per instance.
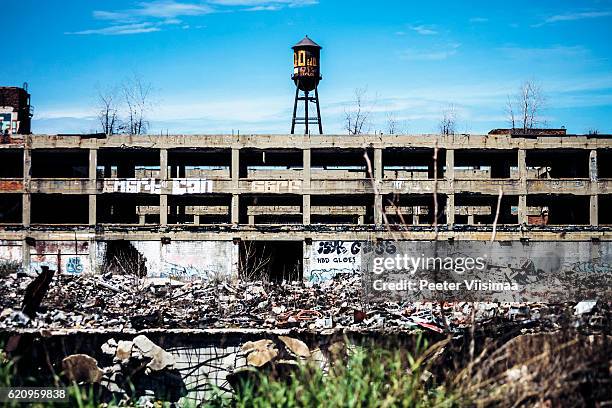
(189, 206)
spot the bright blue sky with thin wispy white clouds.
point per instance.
(223, 65)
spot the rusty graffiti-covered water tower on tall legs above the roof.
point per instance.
(306, 76)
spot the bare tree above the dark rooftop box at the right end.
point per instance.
(526, 110)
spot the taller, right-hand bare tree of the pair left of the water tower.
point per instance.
(136, 95)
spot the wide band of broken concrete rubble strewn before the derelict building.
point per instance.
(127, 302)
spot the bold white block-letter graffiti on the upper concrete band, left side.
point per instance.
(153, 186)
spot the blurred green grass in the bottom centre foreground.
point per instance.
(370, 377)
